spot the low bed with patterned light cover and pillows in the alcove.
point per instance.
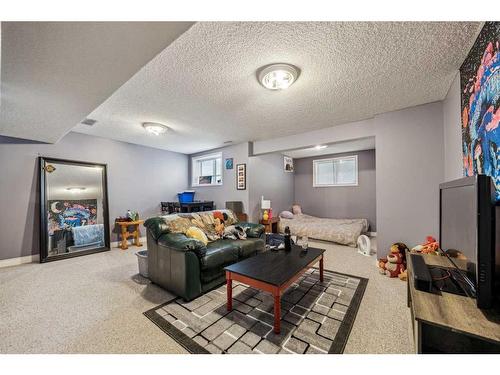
(342, 231)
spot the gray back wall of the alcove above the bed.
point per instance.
(338, 202)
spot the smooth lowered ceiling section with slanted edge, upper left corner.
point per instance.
(54, 73)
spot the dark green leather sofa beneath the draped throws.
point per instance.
(188, 268)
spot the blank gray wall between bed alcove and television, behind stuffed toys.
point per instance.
(409, 157)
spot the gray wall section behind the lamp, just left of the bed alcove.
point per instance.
(268, 178)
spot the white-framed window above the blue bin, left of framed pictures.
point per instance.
(207, 170)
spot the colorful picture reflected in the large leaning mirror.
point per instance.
(71, 213)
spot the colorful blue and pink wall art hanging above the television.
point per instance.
(480, 84)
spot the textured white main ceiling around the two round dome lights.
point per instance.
(204, 84)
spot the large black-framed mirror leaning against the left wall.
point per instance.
(74, 217)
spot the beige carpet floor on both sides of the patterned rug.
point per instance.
(94, 304)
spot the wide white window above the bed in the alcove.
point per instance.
(341, 171)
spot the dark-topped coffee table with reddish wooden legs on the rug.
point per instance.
(273, 272)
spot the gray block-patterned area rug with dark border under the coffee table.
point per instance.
(316, 317)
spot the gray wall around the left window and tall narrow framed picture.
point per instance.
(227, 191)
